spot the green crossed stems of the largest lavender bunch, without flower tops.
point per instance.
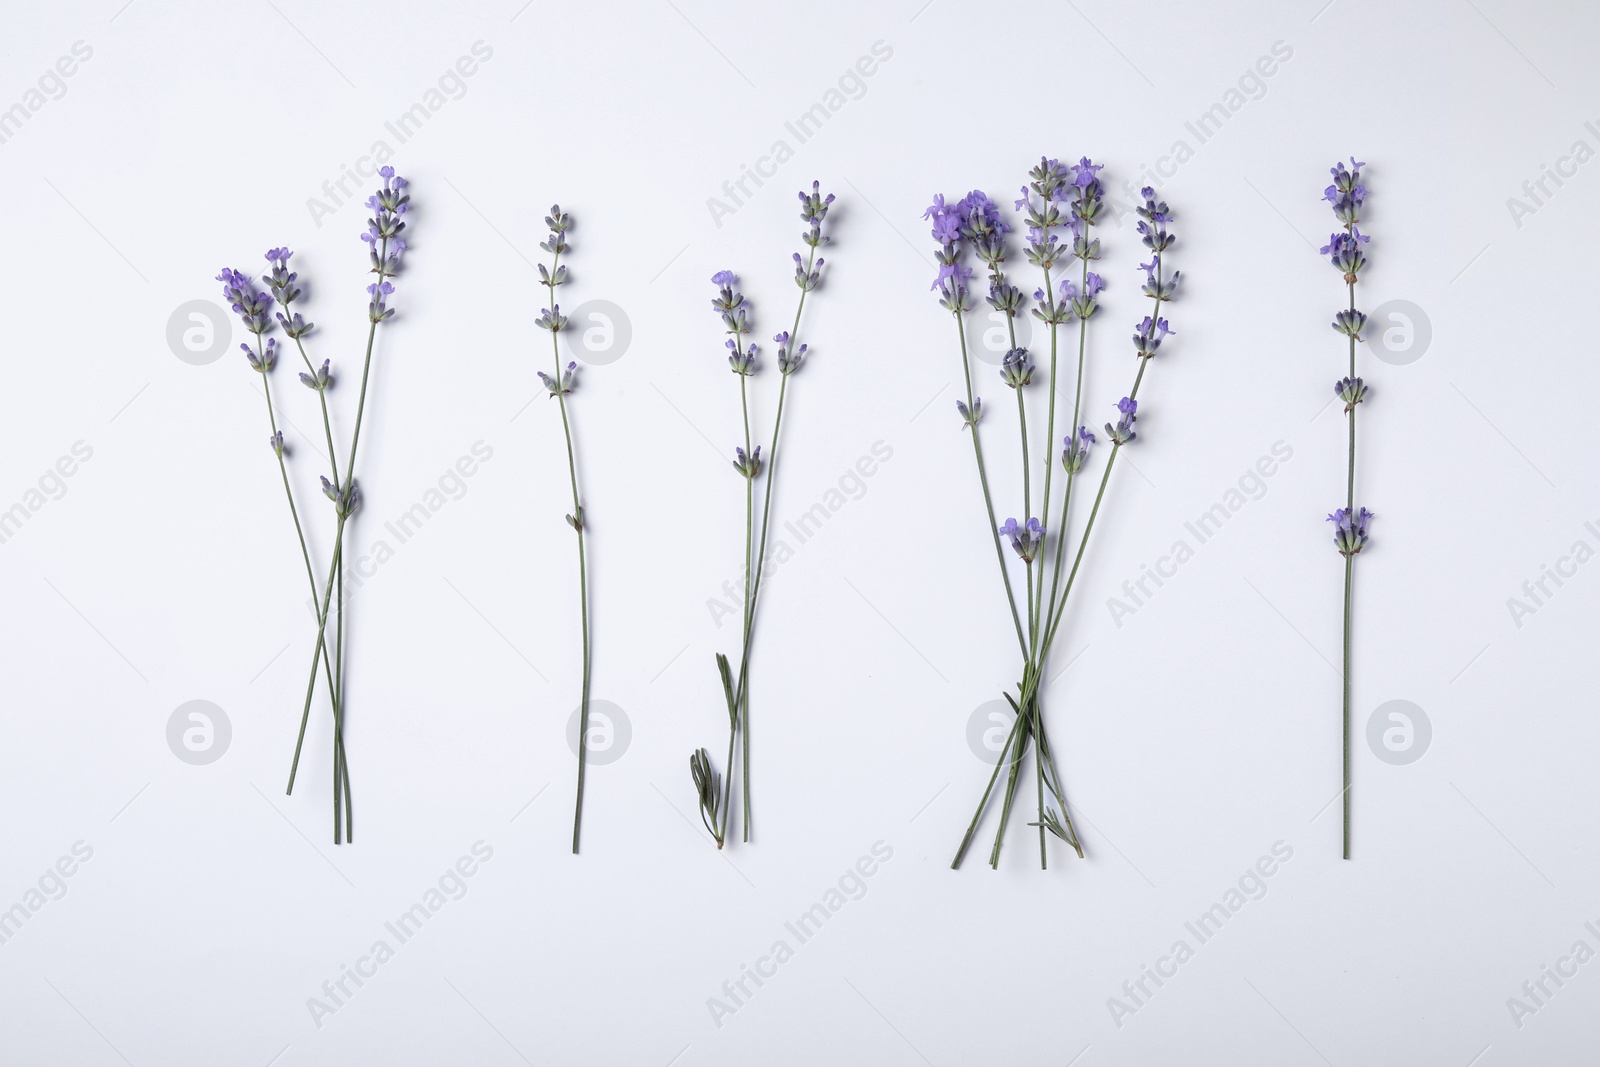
(1046, 615)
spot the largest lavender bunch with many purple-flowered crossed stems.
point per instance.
(1062, 206)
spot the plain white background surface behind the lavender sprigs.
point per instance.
(1193, 737)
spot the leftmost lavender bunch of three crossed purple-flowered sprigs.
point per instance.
(383, 236)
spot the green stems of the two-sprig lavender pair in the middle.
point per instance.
(740, 698)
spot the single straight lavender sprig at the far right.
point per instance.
(1350, 524)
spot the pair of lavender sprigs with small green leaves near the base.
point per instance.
(716, 791)
